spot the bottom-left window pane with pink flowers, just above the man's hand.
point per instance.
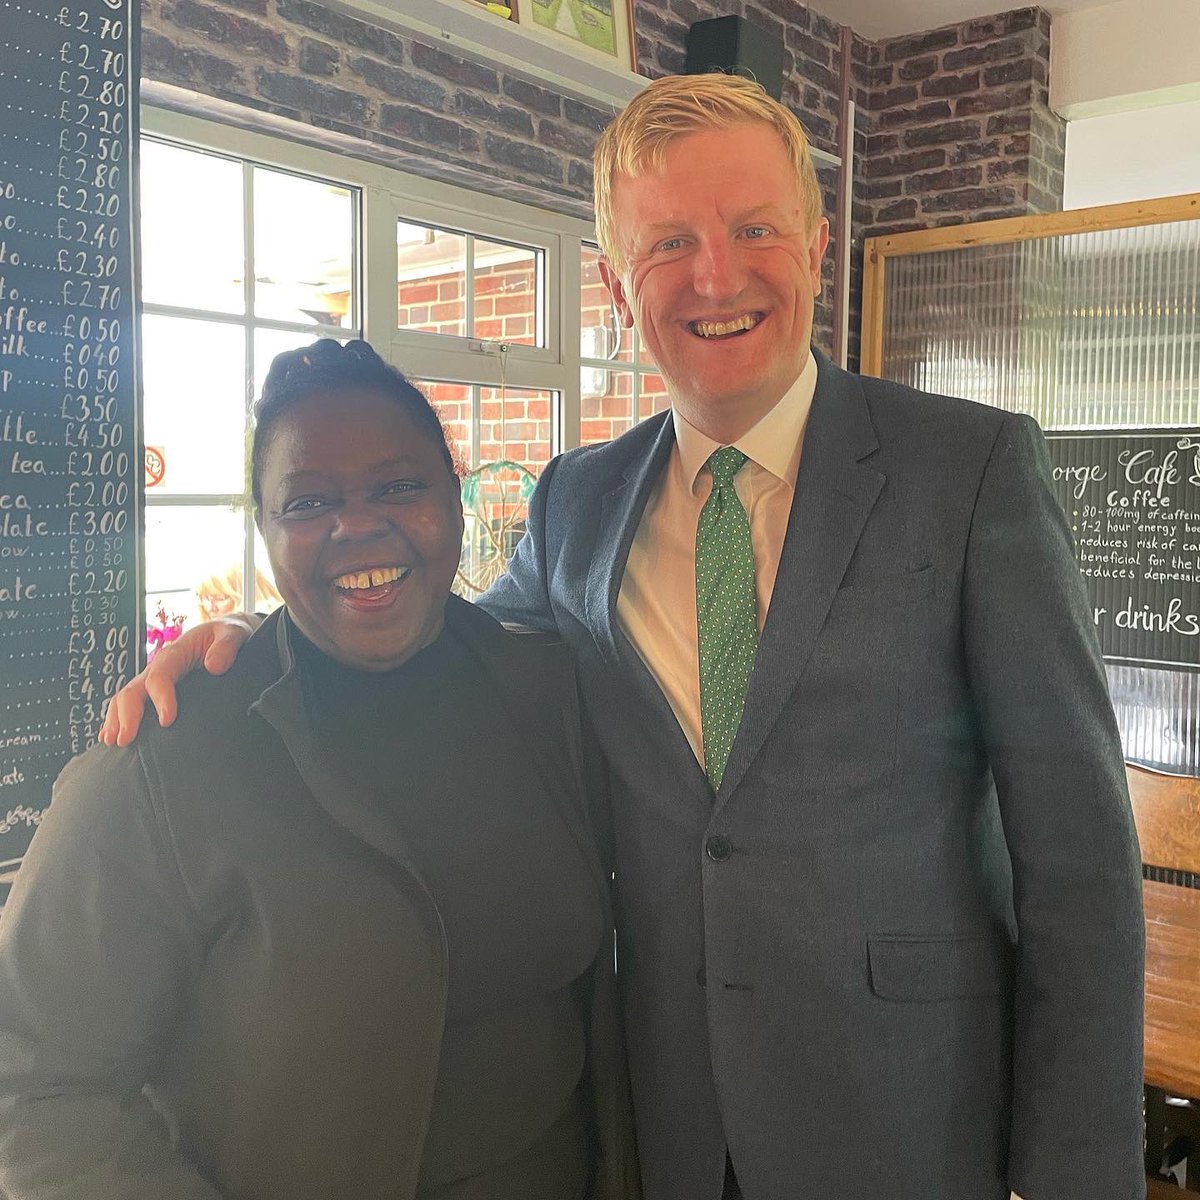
(190, 551)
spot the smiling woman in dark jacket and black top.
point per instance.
(305, 928)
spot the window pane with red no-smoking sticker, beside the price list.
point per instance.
(195, 412)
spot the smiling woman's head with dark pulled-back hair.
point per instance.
(358, 503)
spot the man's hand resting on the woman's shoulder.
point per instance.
(213, 645)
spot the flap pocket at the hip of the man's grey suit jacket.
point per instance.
(923, 969)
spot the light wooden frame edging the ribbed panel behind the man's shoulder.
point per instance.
(989, 233)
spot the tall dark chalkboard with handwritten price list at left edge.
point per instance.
(70, 465)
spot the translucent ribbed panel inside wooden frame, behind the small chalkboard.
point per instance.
(1084, 332)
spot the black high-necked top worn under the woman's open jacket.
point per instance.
(434, 747)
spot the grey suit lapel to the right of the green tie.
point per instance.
(835, 495)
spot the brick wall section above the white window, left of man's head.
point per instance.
(404, 100)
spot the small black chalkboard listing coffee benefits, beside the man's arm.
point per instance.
(1135, 508)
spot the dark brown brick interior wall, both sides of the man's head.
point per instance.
(950, 124)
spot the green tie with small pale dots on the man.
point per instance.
(727, 611)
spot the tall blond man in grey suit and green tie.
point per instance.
(880, 926)
